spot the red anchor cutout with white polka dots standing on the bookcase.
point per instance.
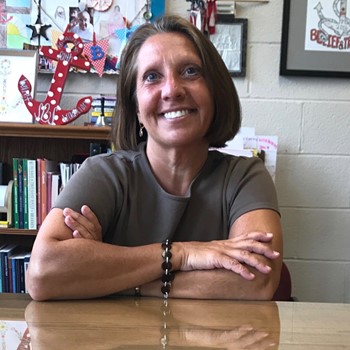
(49, 111)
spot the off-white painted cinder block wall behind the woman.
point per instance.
(311, 117)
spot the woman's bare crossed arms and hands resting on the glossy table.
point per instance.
(70, 261)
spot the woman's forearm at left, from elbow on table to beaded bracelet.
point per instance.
(80, 268)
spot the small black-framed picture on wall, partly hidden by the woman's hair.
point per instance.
(230, 39)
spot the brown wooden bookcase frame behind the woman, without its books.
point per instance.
(44, 141)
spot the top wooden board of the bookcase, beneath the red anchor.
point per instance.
(55, 131)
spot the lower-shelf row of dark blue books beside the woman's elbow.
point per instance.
(14, 262)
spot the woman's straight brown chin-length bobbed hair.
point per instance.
(227, 111)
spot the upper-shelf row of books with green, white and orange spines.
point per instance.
(36, 185)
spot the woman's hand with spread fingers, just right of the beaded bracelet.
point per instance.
(234, 254)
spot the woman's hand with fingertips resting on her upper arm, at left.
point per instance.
(84, 224)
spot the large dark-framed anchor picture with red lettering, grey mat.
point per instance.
(315, 38)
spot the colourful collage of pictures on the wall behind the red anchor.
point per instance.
(92, 20)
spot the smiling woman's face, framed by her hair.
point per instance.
(174, 101)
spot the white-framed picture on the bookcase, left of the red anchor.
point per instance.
(14, 63)
